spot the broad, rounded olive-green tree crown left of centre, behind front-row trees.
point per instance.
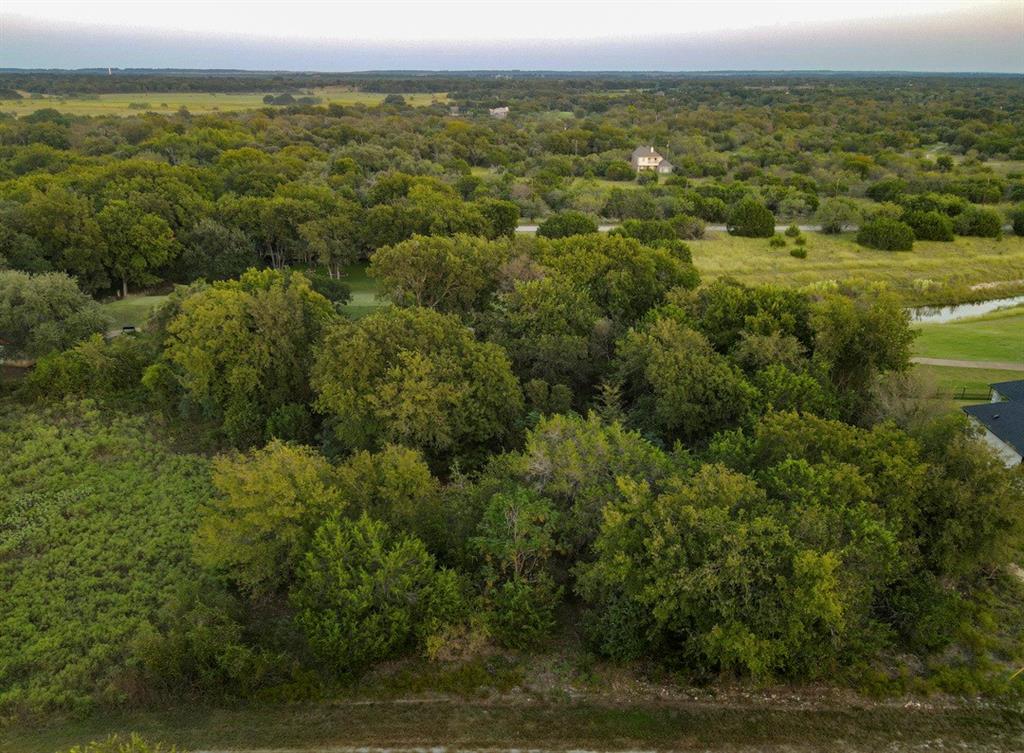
(416, 378)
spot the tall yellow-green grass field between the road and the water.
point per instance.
(967, 262)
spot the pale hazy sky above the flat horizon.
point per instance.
(911, 35)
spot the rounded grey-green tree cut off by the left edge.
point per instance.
(40, 314)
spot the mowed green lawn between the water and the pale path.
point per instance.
(997, 337)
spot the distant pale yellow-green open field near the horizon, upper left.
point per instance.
(195, 102)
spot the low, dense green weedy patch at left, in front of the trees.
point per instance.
(99, 501)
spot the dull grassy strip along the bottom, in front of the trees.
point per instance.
(533, 724)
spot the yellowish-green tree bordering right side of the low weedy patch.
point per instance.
(269, 503)
